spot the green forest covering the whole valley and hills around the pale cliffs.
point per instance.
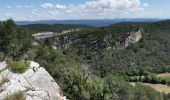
(85, 63)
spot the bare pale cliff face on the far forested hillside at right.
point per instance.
(129, 38)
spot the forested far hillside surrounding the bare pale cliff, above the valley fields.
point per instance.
(151, 53)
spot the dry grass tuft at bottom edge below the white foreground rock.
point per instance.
(16, 96)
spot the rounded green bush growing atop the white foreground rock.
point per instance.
(18, 66)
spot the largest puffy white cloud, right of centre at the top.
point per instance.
(105, 8)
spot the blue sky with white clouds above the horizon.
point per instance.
(29, 10)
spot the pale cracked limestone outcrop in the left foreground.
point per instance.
(35, 83)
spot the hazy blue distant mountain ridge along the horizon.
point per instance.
(95, 22)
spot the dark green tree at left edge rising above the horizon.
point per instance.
(13, 40)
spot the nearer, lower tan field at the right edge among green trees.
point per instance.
(158, 87)
